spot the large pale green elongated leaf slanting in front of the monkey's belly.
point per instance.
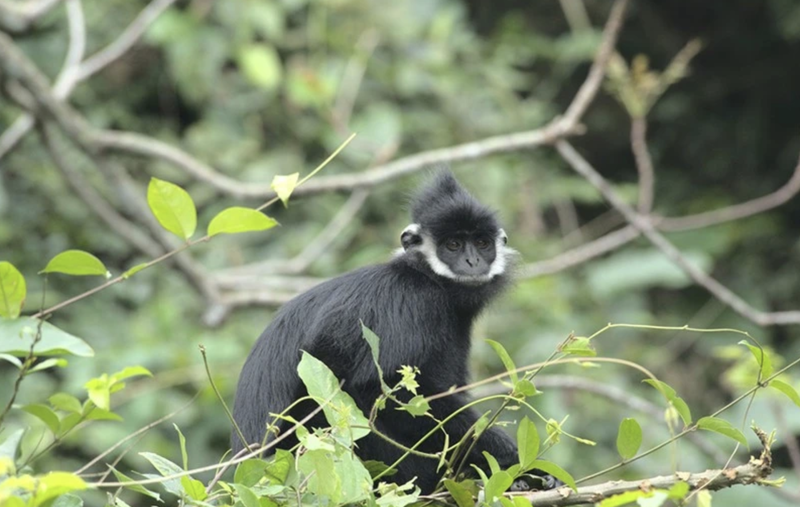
(341, 412)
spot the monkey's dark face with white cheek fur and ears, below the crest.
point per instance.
(469, 257)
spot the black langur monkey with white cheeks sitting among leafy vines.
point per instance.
(422, 305)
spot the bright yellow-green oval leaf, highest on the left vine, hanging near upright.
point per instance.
(173, 207)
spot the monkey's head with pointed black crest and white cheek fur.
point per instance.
(458, 237)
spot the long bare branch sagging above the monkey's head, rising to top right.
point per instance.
(93, 140)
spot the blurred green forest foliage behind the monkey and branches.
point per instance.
(256, 88)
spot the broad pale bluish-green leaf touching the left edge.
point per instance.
(17, 335)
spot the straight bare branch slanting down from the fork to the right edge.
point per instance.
(644, 225)
